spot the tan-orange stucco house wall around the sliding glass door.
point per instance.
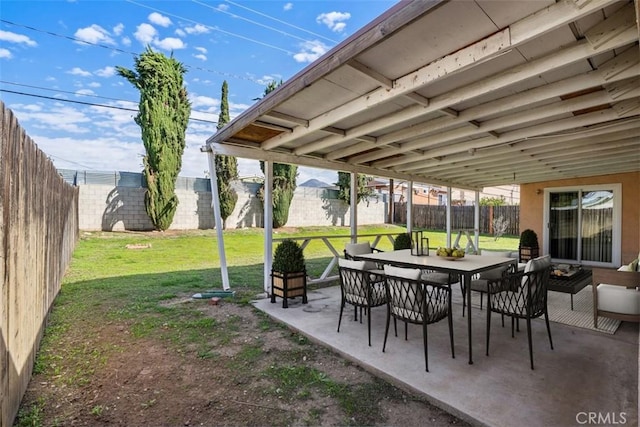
(532, 207)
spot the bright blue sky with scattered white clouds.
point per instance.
(58, 59)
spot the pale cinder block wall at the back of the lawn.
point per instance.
(109, 208)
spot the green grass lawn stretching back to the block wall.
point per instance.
(132, 279)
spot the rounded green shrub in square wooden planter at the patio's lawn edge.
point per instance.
(288, 273)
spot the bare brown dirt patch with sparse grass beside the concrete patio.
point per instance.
(257, 373)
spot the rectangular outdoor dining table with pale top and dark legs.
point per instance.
(466, 267)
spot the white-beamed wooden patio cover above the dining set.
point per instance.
(465, 94)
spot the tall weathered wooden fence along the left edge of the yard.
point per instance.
(38, 232)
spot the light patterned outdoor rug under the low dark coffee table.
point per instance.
(559, 305)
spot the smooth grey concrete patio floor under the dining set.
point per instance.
(588, 374)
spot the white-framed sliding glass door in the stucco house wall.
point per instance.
(583, 225)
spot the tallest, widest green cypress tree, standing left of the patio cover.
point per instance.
(163, 116)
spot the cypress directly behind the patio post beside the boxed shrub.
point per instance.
(284, 180)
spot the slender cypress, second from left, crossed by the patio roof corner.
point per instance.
(226, 166)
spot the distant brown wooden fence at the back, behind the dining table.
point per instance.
(462, 217)
